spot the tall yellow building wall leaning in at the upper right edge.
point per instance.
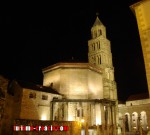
(142, 10)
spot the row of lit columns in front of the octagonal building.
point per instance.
(93, 112)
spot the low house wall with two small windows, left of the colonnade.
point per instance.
(36, 108)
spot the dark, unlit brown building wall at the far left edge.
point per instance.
(12, 108)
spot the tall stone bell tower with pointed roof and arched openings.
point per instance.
(99, 54)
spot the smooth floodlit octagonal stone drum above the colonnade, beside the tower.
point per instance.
(75, 81)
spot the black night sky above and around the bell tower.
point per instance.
(38, 35)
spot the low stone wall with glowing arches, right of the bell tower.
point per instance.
(134, 111)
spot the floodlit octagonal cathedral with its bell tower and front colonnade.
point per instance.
(88, 89)
